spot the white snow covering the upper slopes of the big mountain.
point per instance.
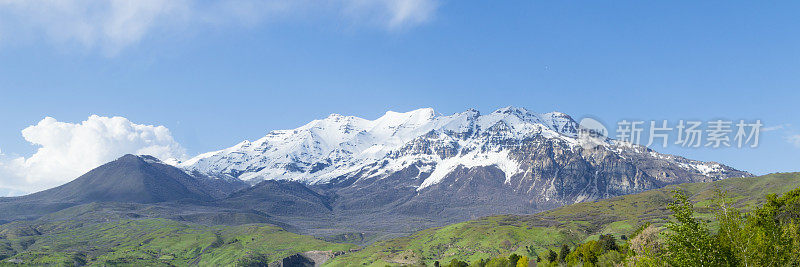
(336, 146)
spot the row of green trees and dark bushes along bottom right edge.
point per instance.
(769, 235)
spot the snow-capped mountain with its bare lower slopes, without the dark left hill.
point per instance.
(443, 169)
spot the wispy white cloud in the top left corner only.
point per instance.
(110, 25)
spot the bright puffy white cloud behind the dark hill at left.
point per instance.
(67, 150)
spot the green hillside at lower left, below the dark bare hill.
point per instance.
(154, 242)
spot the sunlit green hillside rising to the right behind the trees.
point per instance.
(501, 235)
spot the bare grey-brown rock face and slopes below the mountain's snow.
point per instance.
(549, 174)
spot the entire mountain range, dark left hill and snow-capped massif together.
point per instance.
(385, 177)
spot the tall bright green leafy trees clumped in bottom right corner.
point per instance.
(767, 236)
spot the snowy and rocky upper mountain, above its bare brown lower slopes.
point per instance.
(541, 156)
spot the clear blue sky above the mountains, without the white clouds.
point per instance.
(216, 78)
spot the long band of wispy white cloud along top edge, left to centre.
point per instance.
(113, 25)
